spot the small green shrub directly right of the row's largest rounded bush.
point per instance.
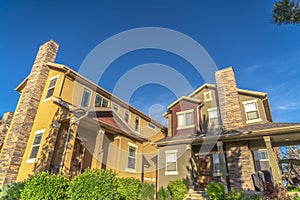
(128, 188)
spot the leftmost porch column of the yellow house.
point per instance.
(69, 148)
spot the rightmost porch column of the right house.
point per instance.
(276, 173)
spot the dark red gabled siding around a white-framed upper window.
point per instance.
(184, 105)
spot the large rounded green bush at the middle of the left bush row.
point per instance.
(94, 184)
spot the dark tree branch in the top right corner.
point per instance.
(286, 12)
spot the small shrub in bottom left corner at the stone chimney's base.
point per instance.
(11, 191)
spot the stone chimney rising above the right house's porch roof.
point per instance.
(228, 97)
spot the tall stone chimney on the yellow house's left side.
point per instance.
(13, 150)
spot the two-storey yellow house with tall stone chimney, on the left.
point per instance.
(65, 123)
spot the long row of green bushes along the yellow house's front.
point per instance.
(92, 184)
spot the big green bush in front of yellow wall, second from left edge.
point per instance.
(45, 186)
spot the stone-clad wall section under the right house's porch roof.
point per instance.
(240, 165)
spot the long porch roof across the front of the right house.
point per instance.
(282, 133)
